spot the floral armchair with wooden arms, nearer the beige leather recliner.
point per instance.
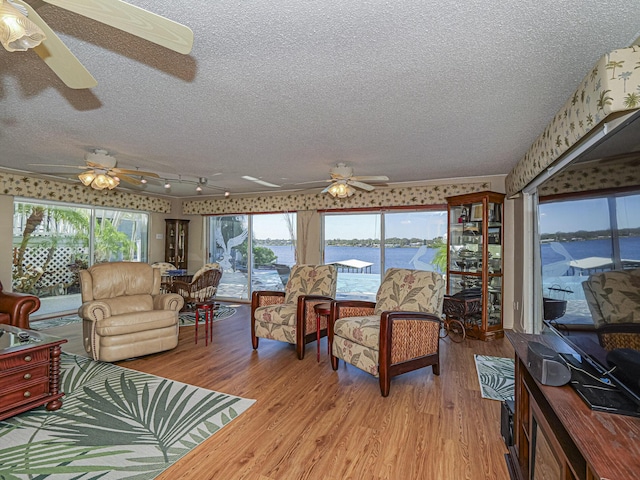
(289, 316)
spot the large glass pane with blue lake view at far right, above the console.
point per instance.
(580, 236)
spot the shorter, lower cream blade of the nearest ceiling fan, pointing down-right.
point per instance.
(58, 57)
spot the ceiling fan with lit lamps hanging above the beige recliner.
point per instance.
(100, 171)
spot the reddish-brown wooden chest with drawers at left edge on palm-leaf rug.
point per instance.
(29, 371)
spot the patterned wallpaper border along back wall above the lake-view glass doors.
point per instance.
(380, 197)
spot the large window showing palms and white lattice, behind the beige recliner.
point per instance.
(53, 241)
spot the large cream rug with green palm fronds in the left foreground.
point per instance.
(114, 423)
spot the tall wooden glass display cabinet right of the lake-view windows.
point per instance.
(474, 263)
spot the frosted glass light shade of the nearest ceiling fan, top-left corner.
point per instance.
(17, 32)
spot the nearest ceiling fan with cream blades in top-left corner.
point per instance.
(116, 13)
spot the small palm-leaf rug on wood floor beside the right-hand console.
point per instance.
(496, 376)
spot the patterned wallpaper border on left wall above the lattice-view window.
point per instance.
(31, 187)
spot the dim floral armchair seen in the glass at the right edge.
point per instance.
(613, 298)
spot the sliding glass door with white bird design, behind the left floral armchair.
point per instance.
(271, 240)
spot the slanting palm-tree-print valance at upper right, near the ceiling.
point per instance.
(613, 85)
